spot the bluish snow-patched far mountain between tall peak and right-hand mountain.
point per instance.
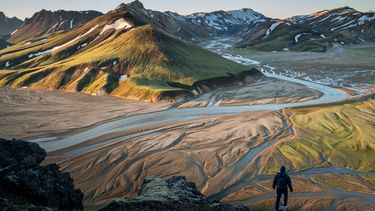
(199, 26)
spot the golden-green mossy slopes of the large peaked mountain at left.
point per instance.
(151, 58)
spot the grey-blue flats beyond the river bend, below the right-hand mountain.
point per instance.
(352, 66)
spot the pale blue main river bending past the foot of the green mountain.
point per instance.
(172, 115)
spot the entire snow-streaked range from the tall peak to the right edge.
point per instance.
(316, 32)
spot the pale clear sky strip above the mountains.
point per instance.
(270, 8)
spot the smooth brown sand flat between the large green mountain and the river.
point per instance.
(27, 113)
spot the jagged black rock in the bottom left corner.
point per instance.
(24, 181)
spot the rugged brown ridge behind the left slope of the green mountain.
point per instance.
(45, 22)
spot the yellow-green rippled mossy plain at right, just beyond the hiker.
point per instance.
(339, 135)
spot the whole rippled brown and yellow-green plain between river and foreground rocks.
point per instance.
(234, 157)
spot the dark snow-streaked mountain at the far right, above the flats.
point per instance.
(315, 32)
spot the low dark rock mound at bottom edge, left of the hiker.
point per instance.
(172, 194)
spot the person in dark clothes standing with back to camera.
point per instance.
(281, 182)
